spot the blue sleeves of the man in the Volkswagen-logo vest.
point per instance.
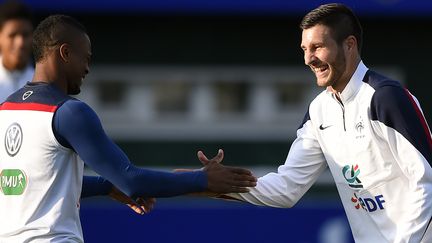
(77, 126)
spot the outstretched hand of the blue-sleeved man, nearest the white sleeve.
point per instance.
(225, 179)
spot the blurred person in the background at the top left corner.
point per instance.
(16, 29)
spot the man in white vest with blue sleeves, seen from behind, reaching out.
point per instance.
(47, 133)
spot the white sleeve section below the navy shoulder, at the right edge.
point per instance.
(415, 167)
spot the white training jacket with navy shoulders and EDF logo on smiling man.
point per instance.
(377, 146)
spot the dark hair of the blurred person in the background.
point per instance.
(12, 9)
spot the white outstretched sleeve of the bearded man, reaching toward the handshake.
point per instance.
(304, 163)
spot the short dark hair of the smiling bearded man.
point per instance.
(339, 18)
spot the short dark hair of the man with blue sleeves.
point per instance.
(53, 31)
